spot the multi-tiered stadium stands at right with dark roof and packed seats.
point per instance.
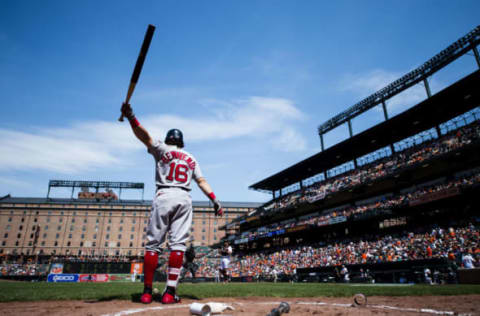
(393, 200)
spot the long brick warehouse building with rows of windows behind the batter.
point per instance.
(81, 227)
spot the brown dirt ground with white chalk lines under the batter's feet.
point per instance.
(376, 305)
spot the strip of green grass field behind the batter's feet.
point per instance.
(40, 291)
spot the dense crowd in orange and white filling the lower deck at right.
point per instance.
(453, 244)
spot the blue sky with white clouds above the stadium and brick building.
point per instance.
(248, 82)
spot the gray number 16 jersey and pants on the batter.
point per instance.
(172, 207)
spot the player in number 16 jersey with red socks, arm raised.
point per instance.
(172, 206)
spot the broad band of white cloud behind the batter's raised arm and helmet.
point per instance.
(91, 145)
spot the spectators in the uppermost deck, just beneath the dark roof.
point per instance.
(380, 168)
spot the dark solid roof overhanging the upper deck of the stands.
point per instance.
(452, 101)
